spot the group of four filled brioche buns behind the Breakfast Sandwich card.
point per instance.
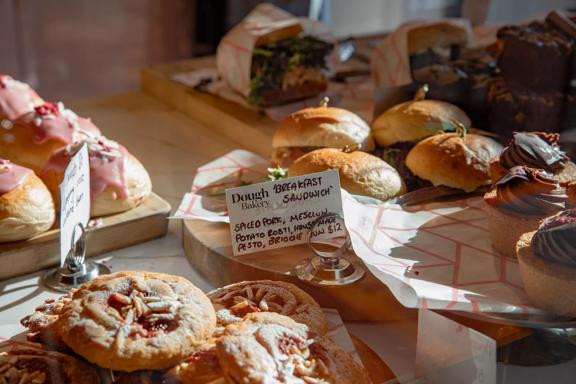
(422, 143)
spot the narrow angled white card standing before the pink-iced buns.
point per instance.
(74, 200)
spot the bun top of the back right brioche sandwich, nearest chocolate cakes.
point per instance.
(414, 120)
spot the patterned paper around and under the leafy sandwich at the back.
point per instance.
(234, 59)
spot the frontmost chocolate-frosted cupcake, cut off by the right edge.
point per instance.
(547, 259)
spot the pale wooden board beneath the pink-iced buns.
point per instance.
(145, 222)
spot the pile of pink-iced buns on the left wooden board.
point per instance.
(37, 141)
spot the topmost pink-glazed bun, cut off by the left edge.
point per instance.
(16, 99)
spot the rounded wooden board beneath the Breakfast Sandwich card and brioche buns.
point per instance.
(208, 248)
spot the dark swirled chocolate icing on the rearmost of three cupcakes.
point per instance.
(534, 149)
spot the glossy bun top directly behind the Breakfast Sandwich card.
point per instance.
(360, 172)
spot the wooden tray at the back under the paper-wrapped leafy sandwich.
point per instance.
(245, 126)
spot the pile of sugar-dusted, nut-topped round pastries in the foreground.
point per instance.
(154, 327)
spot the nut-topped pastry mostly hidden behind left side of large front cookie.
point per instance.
(41, 324)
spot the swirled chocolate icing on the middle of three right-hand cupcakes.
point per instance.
(530, 192)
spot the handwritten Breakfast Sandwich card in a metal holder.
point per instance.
(278, 213)
